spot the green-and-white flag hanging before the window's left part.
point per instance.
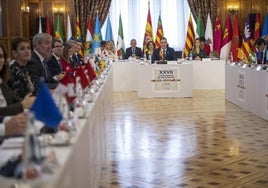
(120, 47)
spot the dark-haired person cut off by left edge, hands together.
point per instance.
(10, 104)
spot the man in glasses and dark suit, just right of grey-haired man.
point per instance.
(54, 64)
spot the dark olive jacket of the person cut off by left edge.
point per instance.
(13, 102)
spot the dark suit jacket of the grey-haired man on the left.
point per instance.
(37, 71)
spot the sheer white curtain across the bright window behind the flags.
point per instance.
(174, 15)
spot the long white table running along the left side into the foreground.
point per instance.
(81, 162)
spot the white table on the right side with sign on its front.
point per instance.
(247, 88)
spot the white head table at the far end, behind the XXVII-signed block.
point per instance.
(207, 74)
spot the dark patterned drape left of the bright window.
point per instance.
(85, 9)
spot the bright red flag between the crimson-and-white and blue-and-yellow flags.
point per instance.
(235, 40)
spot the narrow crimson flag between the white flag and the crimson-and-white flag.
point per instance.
(217, 36)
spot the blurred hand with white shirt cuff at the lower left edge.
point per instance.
(16, 125)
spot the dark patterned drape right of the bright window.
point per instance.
(203, 8)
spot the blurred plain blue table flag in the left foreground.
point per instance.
(45, 109)
